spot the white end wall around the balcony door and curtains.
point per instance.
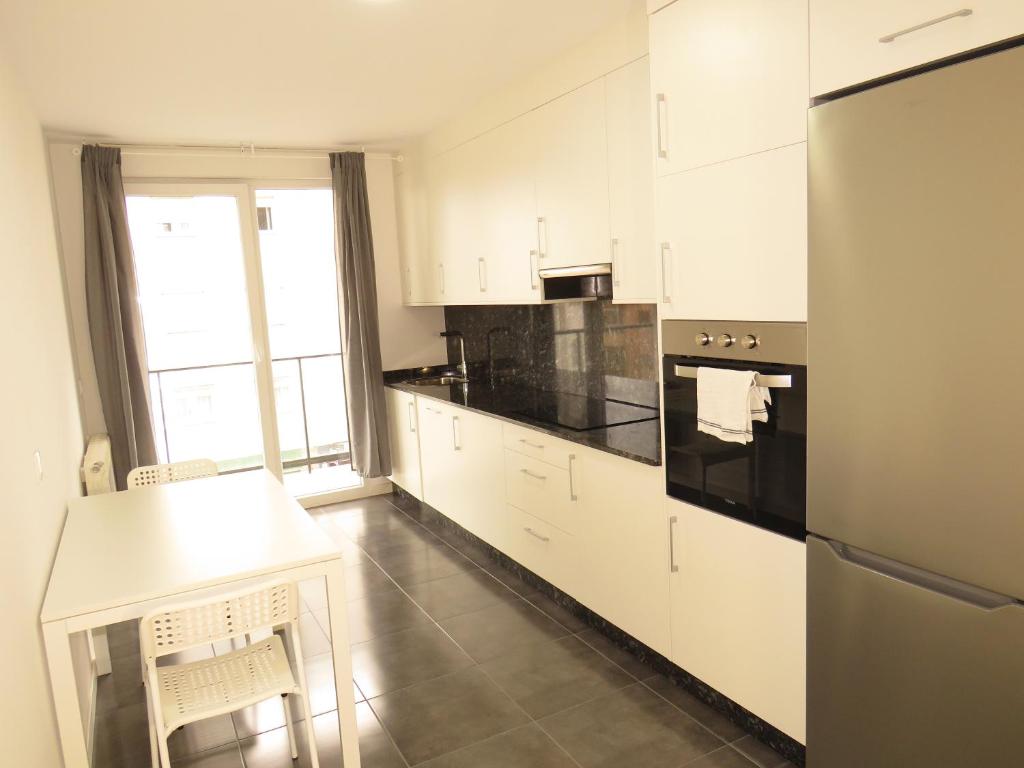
(409, 335)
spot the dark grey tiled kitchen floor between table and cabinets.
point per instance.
(458, 664)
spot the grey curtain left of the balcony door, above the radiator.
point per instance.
(115, 318)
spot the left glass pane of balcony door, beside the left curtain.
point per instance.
(192, 278)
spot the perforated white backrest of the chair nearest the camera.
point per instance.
(183, 626)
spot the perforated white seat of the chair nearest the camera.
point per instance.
(215, 687)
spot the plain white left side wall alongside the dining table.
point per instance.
(41, 414)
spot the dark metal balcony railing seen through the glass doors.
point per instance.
(218, 415)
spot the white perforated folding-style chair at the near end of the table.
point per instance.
(179, 695)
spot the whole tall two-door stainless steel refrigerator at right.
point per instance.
(916, 422)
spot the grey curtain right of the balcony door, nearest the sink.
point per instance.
(360, 330)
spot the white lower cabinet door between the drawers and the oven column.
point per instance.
(625, 540)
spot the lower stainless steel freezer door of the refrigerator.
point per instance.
(902, 675)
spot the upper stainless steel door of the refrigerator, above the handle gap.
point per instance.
(916, 362)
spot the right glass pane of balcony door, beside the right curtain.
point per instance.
(296, 244)
